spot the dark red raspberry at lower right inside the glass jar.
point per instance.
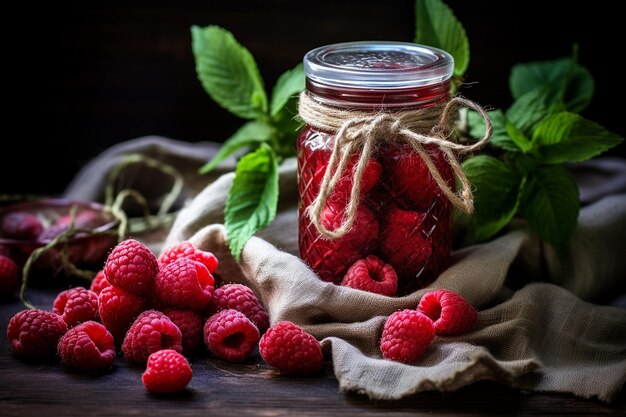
(403, 245)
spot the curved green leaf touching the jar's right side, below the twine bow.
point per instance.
(495, 196)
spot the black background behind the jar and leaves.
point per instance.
(84, 76)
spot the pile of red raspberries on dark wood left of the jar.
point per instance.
(159, 313)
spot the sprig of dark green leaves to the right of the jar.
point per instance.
(536, 136)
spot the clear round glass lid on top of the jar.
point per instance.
(378, 65)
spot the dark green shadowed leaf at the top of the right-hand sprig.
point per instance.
(564, 79)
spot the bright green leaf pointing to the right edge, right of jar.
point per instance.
(568, 137)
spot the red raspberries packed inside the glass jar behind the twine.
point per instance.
(400, 239)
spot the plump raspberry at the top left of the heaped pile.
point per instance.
(131, 266)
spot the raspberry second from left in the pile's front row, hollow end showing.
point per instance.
(88, 346)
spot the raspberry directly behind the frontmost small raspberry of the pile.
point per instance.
(151, 331)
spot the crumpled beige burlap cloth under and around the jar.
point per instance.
(535, 332)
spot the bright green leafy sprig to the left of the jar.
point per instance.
(230, 75)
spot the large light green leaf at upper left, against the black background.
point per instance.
(228, 72)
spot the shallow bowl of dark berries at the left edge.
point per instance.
(85, 232)
